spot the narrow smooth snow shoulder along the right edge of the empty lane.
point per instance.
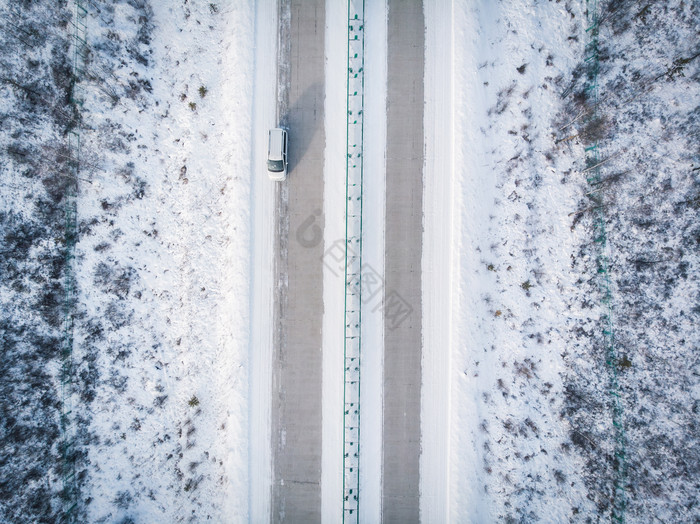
(438, 261)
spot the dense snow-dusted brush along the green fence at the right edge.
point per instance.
(647, 124)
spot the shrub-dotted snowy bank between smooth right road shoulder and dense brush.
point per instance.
(512, 282)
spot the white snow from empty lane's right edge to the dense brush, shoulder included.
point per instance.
(495, 221)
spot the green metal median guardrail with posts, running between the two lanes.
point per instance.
(353, 260)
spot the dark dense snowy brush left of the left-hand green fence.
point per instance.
(35, 171)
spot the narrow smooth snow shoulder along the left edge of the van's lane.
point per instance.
(262, 237)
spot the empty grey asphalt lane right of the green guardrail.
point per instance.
(402, 256)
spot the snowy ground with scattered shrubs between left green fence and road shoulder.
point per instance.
(163, 261)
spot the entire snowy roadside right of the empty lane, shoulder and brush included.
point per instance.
(512, 282)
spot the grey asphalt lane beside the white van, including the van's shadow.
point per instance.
(296, 388)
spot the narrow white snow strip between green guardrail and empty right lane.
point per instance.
(374, 164)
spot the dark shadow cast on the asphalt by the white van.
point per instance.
(303, 119)
